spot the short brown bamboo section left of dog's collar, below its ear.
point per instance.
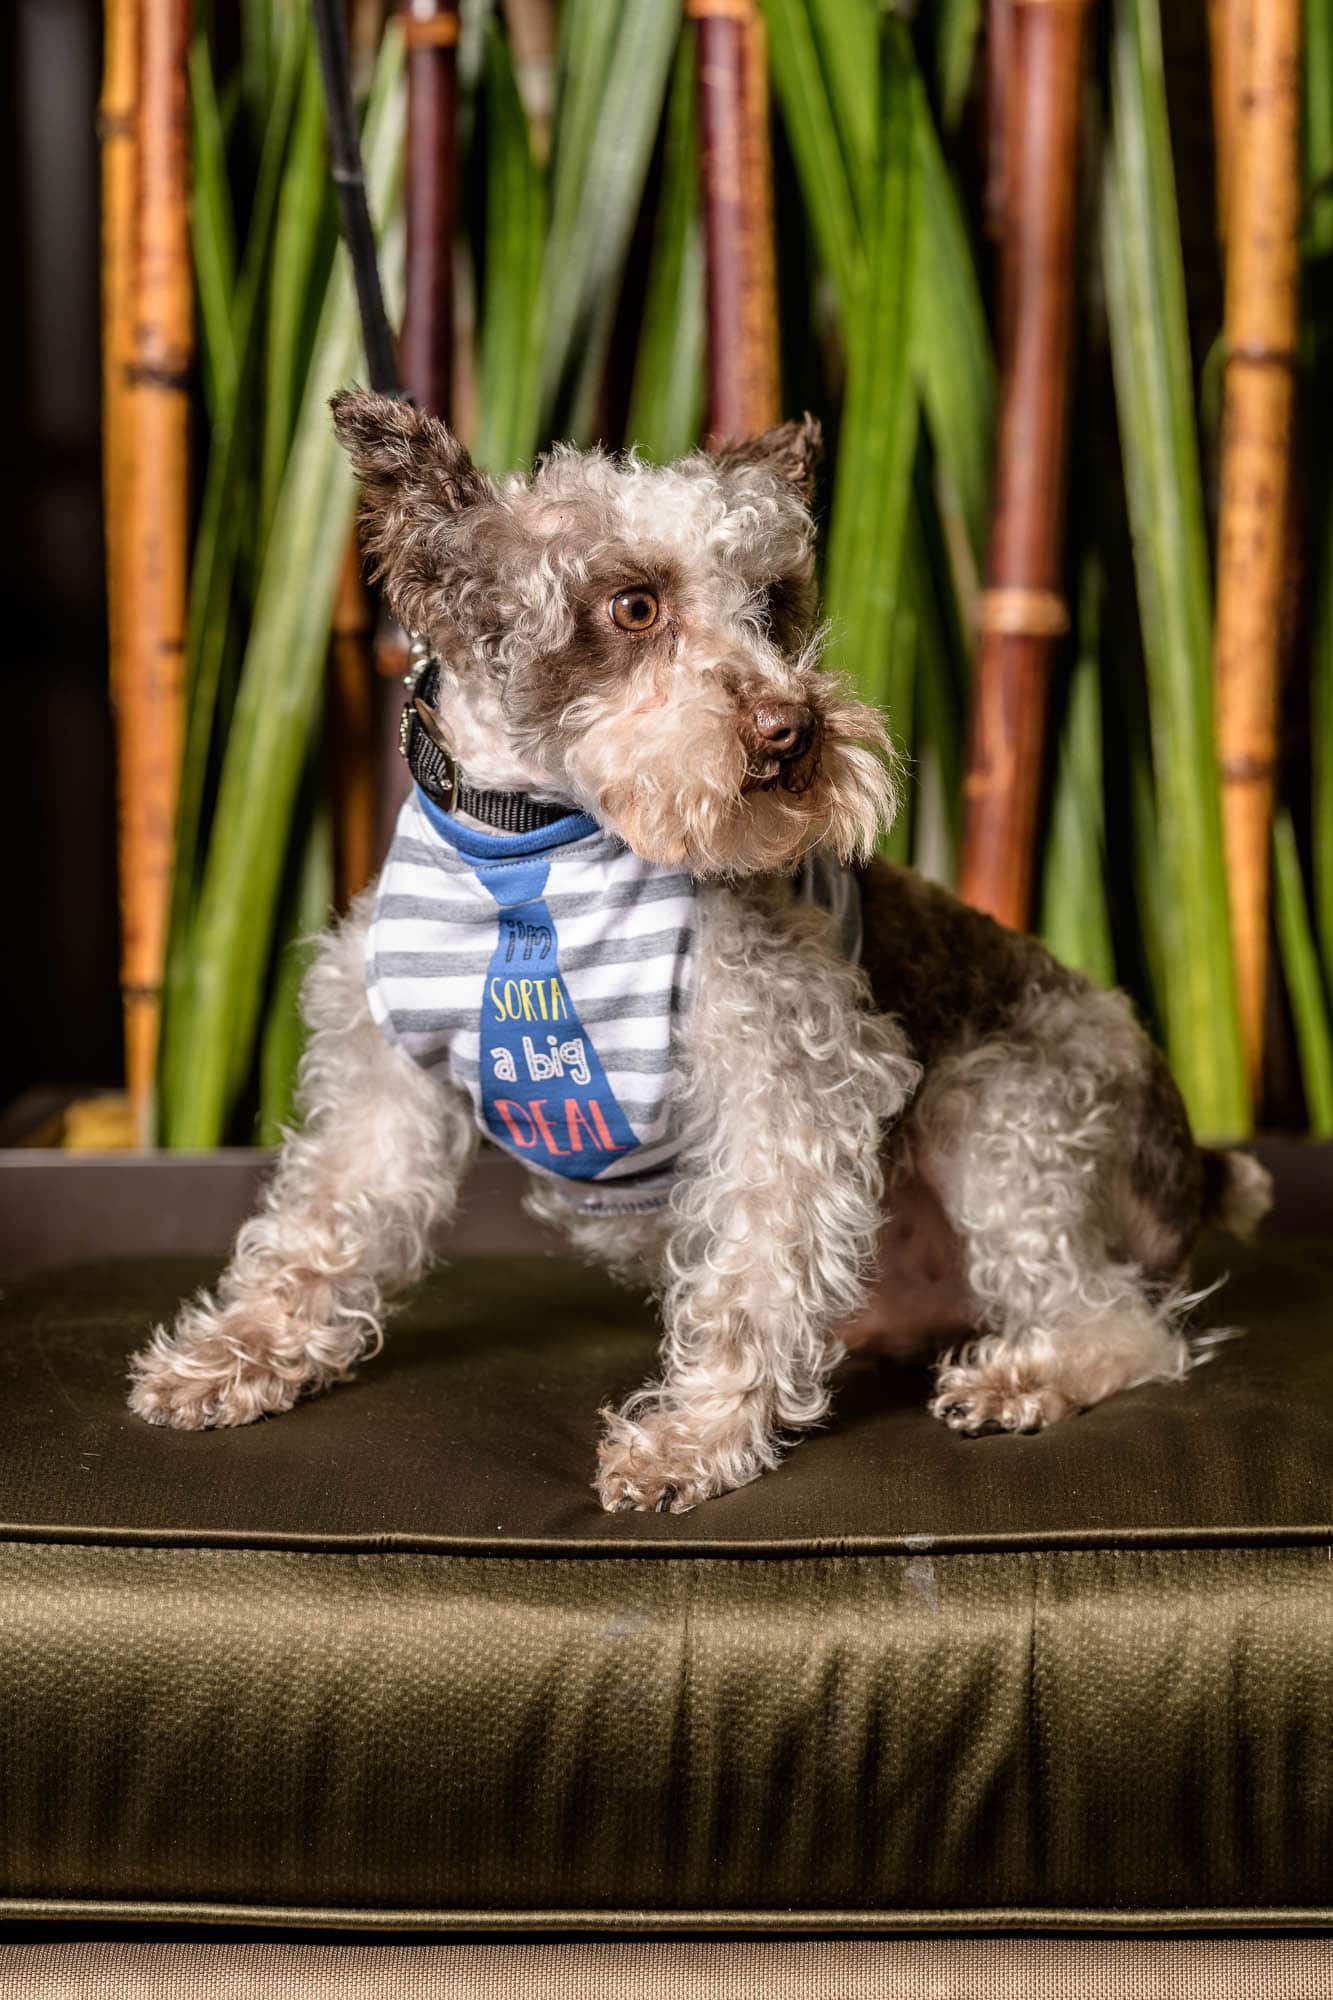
(351, 733)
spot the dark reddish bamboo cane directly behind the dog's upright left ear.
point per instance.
(427, 349)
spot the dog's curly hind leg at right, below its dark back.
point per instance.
(1034, 1141)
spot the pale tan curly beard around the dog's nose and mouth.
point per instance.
(670, 773)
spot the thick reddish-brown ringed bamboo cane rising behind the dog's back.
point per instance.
(1022, 609)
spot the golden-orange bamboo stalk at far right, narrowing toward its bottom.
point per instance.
(1260, 329)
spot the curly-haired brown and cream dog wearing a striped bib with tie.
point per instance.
(621, 933)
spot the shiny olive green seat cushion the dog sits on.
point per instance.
(383, 1661)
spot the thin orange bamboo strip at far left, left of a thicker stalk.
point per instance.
(117, 151)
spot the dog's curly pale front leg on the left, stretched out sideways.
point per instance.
(357, 1201)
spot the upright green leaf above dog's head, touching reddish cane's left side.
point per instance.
(668, 397)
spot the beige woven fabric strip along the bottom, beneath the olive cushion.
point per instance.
(832, 1969)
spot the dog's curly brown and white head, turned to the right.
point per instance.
(631, 637)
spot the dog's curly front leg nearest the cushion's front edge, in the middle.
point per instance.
(792, 1081)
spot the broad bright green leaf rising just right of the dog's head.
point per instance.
(872, 497)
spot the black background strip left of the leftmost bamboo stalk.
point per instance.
(57, 781)
